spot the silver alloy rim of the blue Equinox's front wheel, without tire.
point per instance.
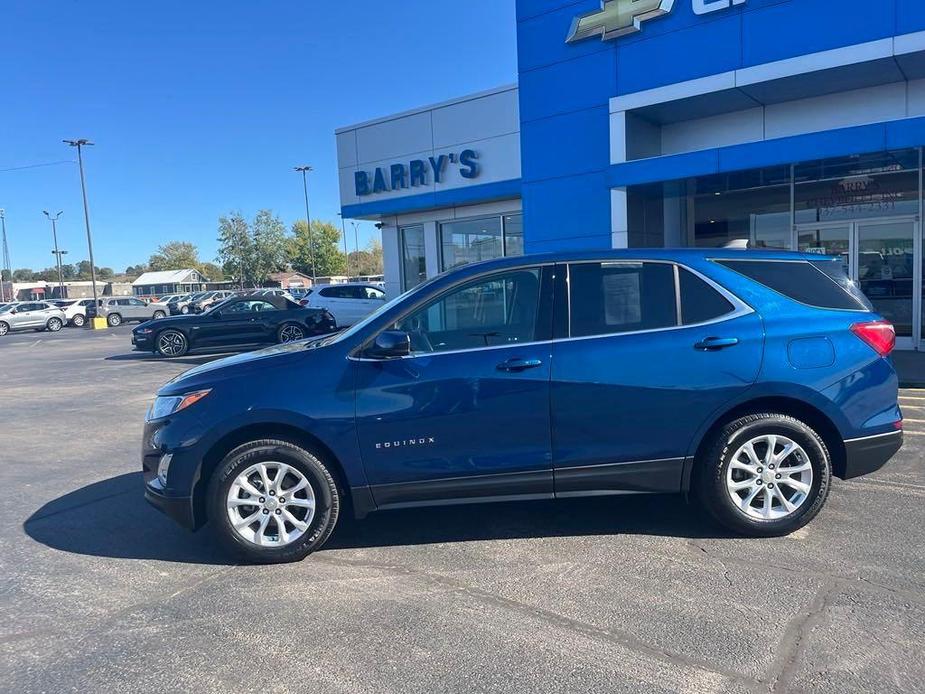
(271, 504)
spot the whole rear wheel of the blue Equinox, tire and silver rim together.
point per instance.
(765, 475)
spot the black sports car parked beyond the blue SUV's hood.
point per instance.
(238, 321)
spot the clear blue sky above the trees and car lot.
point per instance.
(199, 108)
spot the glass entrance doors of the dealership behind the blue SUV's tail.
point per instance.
(880, 256)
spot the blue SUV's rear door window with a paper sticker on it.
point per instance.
(620, 297)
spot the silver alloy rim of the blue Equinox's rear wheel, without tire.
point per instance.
(769, 477)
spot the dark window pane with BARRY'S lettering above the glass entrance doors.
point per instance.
(858, 187)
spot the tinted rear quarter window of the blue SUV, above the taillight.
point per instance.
(802, 281)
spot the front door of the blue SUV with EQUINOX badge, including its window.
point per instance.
(466, 414)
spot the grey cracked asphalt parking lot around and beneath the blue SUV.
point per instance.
(99, 592)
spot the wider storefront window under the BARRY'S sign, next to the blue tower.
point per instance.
(471, 240)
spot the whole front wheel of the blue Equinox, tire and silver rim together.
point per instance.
(272, 502)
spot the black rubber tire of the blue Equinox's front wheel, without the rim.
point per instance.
(324, 487)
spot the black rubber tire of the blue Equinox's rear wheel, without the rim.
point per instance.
(712, 470)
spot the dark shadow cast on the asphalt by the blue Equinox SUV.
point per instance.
(111, 519)
